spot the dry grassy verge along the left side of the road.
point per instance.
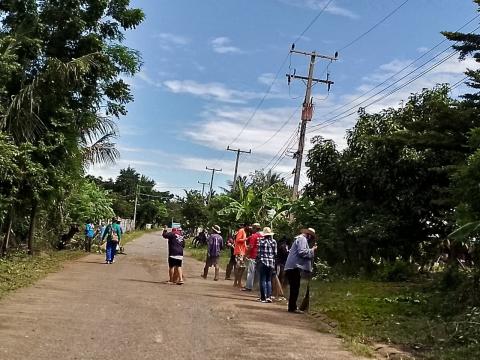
(19, 269)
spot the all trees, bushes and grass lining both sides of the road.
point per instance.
(397, 211)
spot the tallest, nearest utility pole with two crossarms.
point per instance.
(307, 110)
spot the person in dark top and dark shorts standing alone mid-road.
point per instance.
(176, 243)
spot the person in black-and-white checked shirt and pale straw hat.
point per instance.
(267, 250)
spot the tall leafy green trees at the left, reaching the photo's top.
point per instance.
(60, 63)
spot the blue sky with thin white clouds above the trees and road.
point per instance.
(208, 64)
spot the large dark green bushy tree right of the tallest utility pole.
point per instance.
(388, 195)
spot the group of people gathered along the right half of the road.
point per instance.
(255, 250)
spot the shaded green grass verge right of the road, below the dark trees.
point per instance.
(413, 316)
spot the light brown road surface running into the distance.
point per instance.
(124, 311)
